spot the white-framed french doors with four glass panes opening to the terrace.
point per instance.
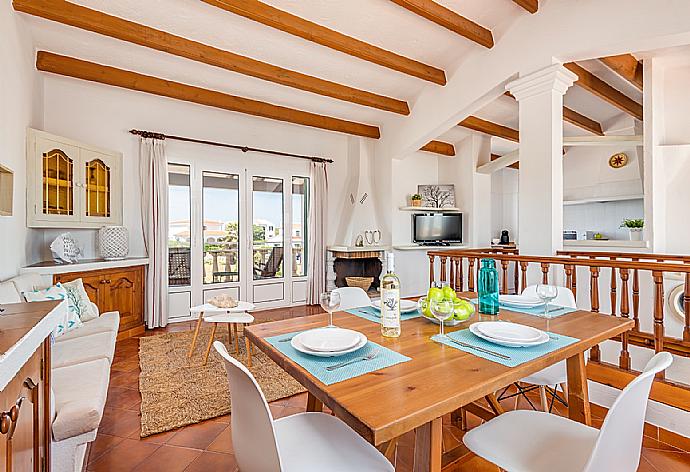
(237, 226)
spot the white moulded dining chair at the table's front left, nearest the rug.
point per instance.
(303, 442)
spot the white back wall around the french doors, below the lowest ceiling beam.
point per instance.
(102, 115)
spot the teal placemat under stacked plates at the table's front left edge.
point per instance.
(317, 365)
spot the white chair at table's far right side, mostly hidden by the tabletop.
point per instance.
(555, 375)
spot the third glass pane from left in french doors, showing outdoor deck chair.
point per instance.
(267, 229)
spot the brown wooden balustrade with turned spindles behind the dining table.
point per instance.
(624, 296)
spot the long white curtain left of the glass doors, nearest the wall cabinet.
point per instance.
(153, 178)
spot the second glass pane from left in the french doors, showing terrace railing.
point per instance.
(221, 228)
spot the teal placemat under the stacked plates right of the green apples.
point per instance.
(518, 355)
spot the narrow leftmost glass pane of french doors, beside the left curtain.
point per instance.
(179, 225)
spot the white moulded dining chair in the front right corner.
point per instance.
(534, 441)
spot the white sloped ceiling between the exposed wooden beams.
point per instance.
(379, 22)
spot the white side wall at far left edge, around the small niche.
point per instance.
(20, 107)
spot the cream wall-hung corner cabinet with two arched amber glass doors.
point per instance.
(71, 184)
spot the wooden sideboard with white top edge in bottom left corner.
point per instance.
(25, 422)
